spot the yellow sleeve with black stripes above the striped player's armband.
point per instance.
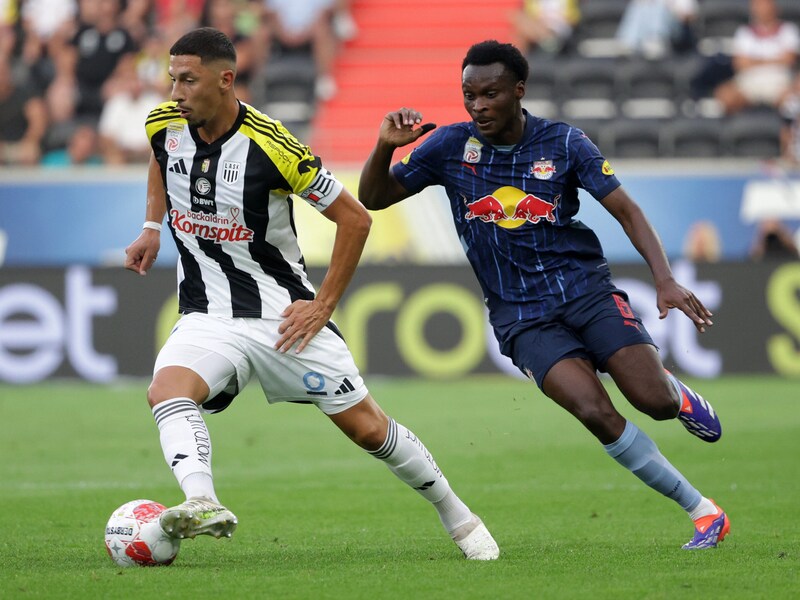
(293, 159)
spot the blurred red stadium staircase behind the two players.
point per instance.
(406, 53)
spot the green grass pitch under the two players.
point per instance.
(321, 519)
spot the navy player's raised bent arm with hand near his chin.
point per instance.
(377, 188)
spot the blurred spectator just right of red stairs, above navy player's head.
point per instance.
(544, 24)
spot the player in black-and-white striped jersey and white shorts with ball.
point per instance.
(225, 176)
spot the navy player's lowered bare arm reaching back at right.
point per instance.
(669, 293)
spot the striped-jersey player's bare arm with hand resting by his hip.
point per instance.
(303, 319)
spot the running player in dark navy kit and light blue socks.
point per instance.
(513, 180)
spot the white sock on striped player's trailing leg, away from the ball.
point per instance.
(410, 461)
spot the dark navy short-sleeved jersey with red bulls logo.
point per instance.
(514, 213)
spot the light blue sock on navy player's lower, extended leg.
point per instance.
(639, 454)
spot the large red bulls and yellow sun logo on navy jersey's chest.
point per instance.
(510, 207)
